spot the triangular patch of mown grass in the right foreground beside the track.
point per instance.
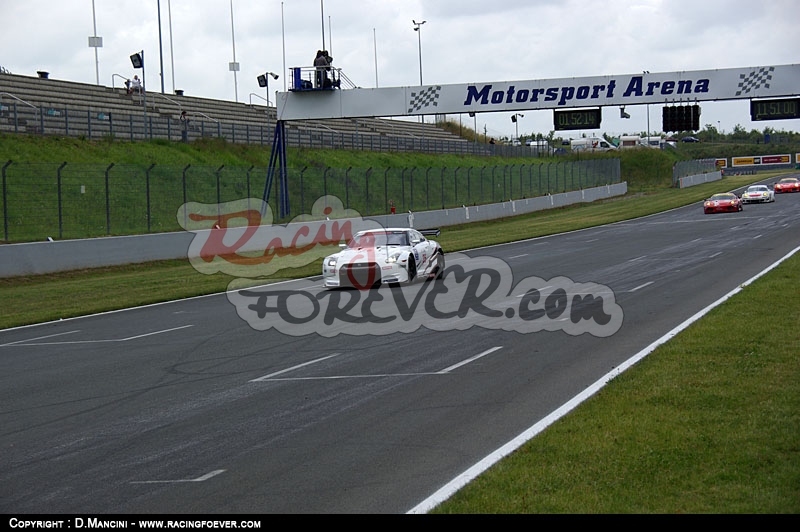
(707, 423)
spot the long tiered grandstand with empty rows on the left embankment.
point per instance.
(40, 105)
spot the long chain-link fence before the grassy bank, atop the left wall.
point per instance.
(62, 201)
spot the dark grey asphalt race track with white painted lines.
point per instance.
(188, 407)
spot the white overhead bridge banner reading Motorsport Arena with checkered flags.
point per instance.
(614, 90)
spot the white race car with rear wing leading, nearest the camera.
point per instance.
(384, 256)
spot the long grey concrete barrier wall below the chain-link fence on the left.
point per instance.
(64, 255)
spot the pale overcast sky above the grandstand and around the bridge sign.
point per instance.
(374, 43)
